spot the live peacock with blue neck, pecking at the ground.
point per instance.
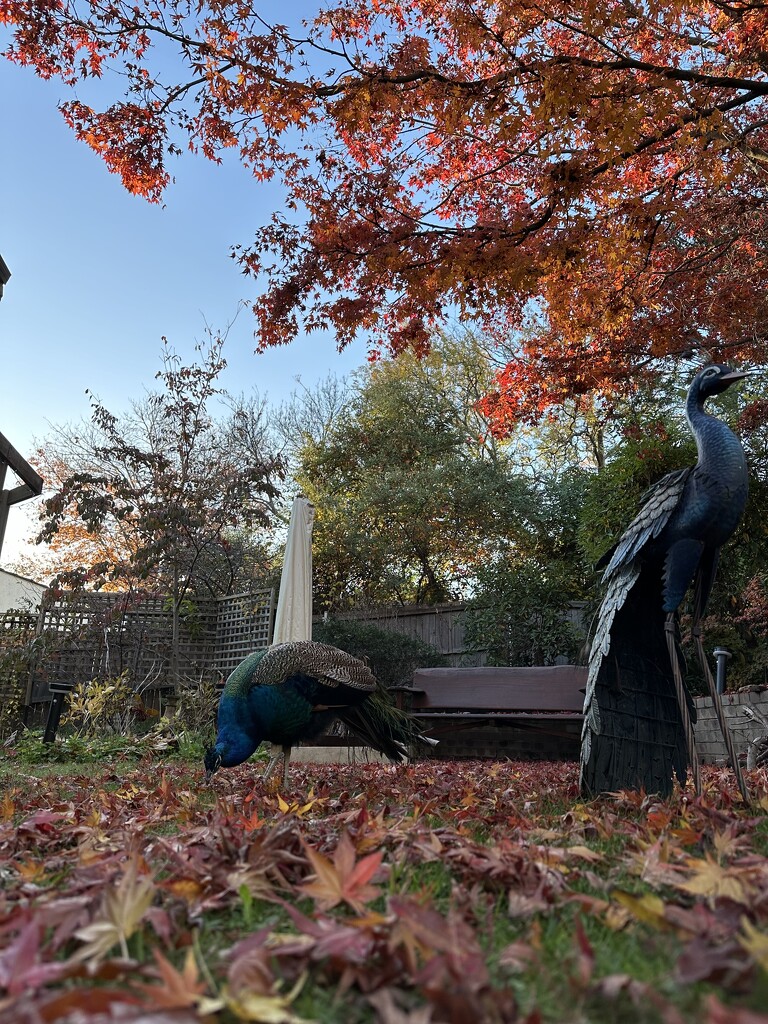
(291, 693)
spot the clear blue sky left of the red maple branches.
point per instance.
(100, 277)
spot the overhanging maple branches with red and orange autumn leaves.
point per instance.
(591, 176)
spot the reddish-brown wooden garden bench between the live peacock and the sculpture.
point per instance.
(546, 702)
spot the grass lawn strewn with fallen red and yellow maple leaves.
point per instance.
(461, 892)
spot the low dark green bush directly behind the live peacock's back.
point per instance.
(392, 657)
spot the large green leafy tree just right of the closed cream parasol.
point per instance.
(409, 487)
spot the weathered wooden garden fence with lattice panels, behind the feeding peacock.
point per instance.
(100, 636)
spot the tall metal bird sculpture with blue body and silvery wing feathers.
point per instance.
(638, 731)
